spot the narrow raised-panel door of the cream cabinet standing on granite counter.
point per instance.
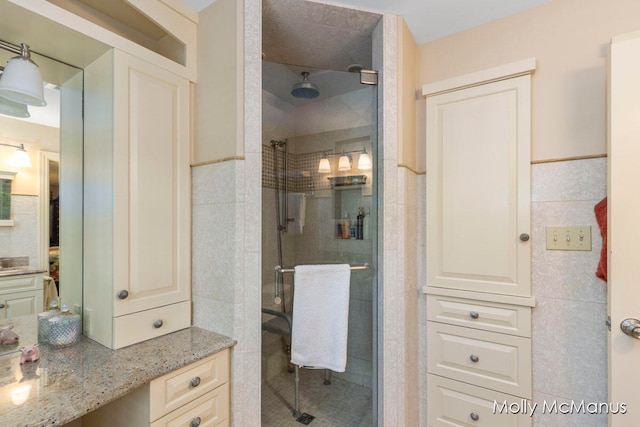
(152, 186)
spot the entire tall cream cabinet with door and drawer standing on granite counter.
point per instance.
(137, 201)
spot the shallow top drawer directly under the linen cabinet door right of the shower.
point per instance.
(486, 315)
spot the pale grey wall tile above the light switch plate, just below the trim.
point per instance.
(569, 180)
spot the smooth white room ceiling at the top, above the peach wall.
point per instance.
(431, 19)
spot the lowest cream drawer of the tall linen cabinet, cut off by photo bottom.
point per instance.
(452, 403)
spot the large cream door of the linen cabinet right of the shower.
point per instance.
(478, 188)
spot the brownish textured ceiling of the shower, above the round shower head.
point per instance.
(316, 35)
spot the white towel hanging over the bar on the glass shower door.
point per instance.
(320, 316)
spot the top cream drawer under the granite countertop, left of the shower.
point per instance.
(177, 388)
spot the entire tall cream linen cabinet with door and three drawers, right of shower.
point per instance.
(478, 247)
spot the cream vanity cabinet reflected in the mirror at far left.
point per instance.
(20, 295)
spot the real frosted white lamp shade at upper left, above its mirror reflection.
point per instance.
(21, 82)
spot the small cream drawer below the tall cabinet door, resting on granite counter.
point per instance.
(138, 327)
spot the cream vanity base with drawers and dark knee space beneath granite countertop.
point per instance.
(196, 395)
